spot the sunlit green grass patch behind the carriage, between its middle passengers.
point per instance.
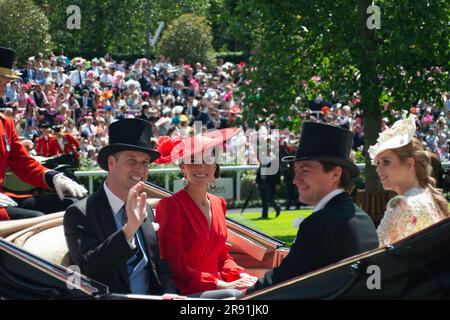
(280, 228)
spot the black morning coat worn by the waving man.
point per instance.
(101, 251)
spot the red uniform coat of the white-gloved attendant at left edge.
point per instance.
(14, 155)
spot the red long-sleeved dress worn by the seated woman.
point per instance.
(197, 256)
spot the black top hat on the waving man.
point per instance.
(127, 134)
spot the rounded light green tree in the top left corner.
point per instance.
(24, 27)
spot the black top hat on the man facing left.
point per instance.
(324, 142)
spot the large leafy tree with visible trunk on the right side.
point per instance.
(405, 60)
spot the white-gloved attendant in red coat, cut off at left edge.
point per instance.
(14, 155)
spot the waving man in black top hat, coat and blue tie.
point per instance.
(111, 235)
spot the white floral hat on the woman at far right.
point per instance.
(399, 135)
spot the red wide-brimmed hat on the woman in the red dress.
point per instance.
(173, 149)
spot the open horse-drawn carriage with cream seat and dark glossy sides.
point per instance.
(34, 264)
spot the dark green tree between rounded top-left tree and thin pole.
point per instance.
(106, 26)
